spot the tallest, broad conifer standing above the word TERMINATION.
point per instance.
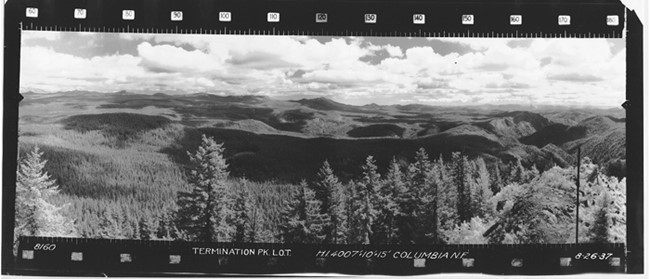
(204, 212)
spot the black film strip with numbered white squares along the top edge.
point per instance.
(515, 19)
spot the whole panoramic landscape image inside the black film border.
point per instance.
(327, 140)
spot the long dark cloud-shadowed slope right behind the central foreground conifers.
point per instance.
(269, 157)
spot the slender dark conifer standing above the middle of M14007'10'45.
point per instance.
(364, 202)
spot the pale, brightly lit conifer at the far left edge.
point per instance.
(35, 214)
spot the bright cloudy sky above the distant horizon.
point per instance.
(359, 70)
